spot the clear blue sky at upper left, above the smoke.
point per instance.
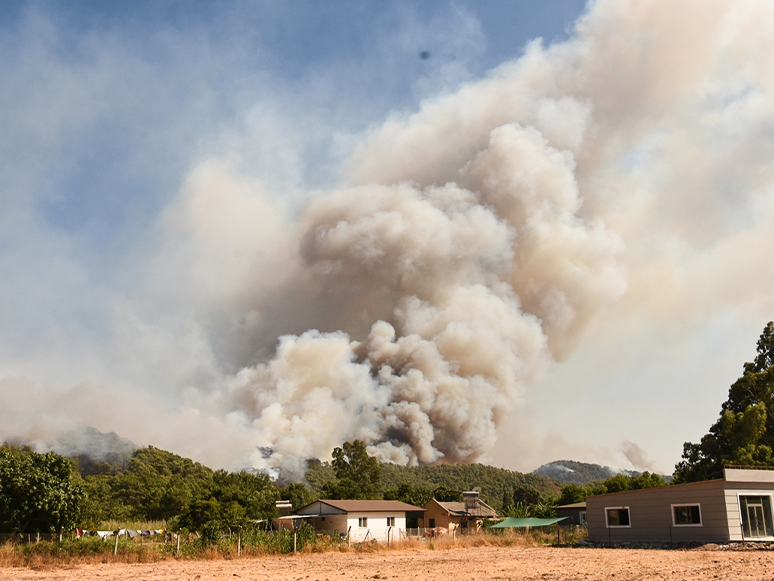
(120, 98)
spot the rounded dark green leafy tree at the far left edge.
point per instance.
(38, 491)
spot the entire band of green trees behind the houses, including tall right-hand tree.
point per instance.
(47, 492)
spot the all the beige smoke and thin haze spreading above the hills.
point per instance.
(463, 248)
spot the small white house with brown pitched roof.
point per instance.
(362, 520)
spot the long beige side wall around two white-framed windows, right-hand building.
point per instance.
(650, 514)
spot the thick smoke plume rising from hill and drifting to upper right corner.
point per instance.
(485, 232)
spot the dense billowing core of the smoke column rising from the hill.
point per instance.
(452, 298)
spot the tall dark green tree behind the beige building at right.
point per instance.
(744, 433)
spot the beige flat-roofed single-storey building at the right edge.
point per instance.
(737, 507)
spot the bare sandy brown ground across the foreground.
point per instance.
(476, 563)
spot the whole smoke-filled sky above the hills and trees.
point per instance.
(182, 183)
